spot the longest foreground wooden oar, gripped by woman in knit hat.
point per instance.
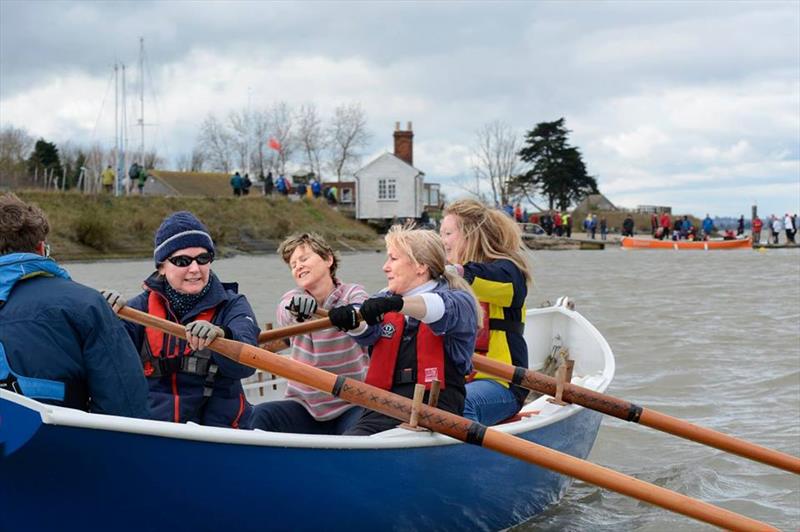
(399, 407)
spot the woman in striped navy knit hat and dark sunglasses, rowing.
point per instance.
(187, 381)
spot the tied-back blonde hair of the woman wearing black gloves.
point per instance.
(425, 248)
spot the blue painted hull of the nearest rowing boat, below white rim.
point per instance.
(70, 478)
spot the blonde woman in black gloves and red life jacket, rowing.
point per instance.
(419, 329)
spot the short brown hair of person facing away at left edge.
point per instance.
(22, 226)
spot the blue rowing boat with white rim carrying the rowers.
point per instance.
(64, 468)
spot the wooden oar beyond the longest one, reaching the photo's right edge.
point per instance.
(624, 410)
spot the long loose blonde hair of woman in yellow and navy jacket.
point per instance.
(489, 234)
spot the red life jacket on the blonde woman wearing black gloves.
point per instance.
(429, 354)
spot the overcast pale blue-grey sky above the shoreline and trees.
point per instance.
(689, 104)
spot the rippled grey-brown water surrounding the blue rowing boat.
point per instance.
(709, 337)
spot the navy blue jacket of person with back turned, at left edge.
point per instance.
(54, 328)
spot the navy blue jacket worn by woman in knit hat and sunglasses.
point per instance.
(227, 406)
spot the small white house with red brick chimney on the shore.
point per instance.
(389, 186)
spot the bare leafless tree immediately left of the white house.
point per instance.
(348, 134)
